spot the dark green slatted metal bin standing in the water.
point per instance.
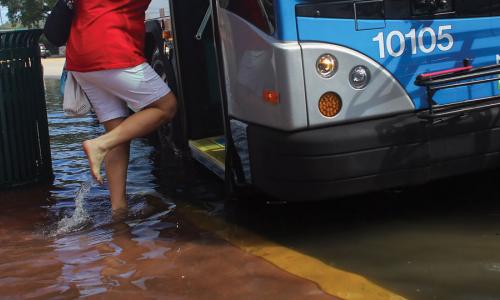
(24, 138)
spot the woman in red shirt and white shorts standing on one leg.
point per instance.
(105, 53)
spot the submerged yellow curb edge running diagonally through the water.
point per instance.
(333, 281)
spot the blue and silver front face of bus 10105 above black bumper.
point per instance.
(395, 41)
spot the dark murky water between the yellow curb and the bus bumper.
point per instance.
(438, 241)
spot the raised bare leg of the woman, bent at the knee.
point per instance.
(135, 126)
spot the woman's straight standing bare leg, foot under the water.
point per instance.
(116, 169)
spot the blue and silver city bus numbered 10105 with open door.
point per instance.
(321, 99)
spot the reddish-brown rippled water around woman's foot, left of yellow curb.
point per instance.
(61, 242)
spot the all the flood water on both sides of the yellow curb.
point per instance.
(439, 241)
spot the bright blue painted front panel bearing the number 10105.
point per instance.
(407, 48)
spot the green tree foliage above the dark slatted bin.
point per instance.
(29, 13)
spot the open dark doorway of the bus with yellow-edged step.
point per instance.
(200, 118)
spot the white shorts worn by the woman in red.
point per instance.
(112, 92)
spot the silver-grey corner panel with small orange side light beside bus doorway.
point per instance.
(255, 62)
